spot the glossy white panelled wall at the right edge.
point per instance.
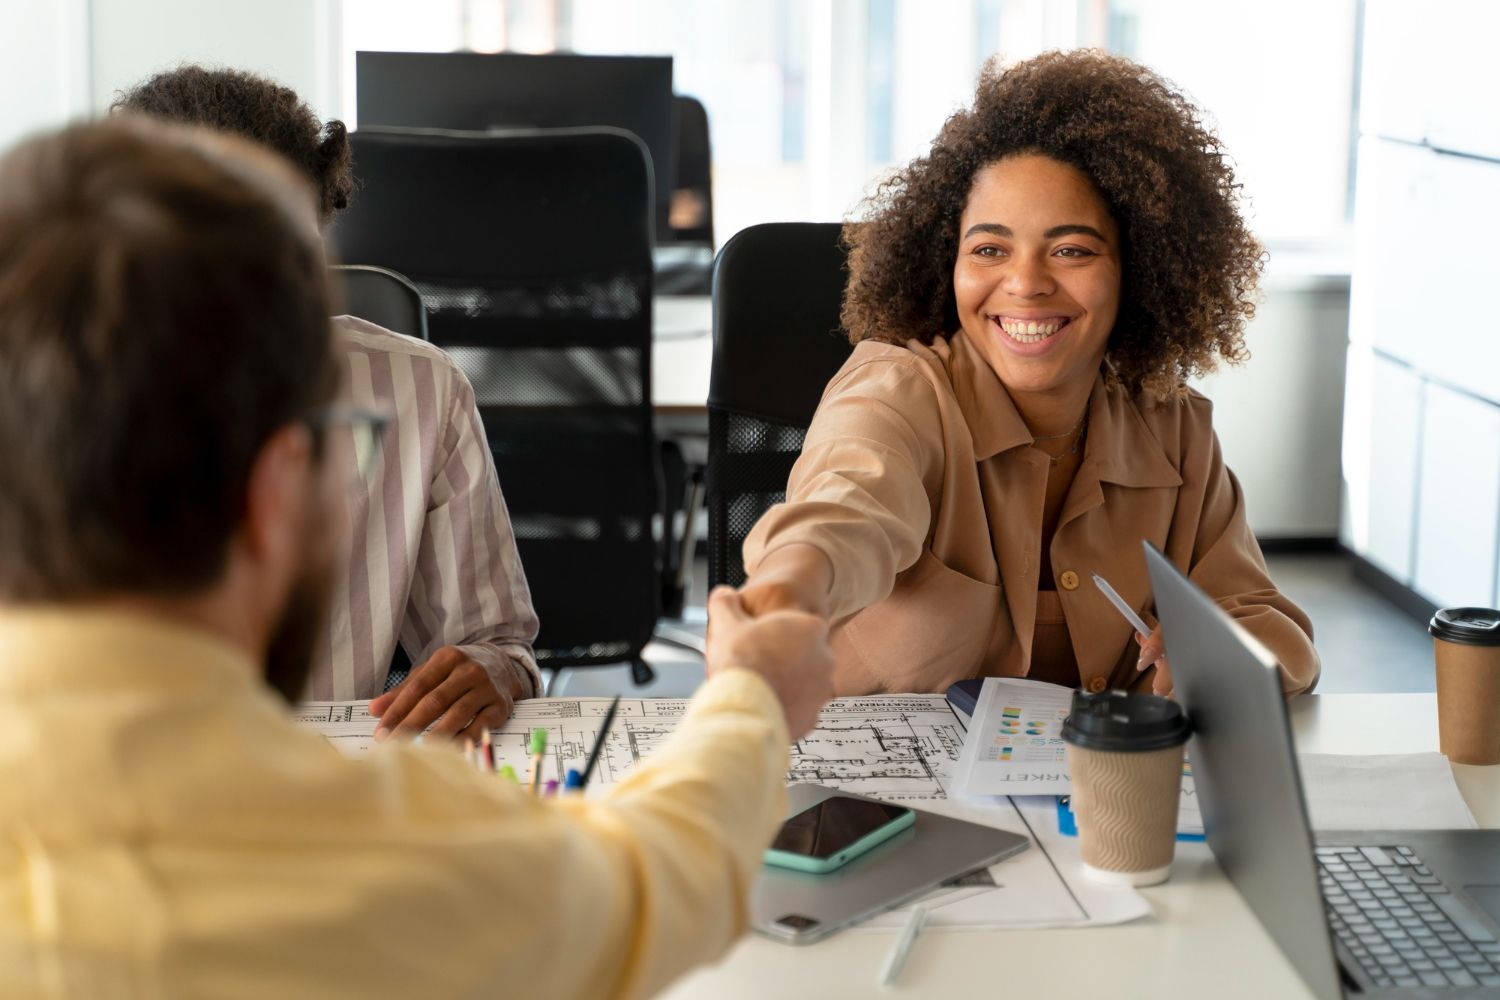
(1423, 431)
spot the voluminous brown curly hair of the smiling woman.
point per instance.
(1190, 265)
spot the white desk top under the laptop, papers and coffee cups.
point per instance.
(1202, 942)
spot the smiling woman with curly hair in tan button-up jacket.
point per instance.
(1027, 304)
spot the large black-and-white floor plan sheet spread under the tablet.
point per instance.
(889, 747)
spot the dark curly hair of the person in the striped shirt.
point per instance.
(259, 110)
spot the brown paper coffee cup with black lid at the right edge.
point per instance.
(1466, 645)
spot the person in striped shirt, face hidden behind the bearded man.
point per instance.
(433, 560)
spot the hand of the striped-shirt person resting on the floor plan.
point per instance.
(451, 693)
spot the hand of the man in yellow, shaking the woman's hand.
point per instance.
(787, 648)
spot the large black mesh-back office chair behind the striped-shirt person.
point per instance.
(533, 254)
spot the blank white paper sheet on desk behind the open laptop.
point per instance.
(1373, 792)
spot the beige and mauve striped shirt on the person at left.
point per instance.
(433, 557)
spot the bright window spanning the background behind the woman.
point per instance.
(811, 103)
